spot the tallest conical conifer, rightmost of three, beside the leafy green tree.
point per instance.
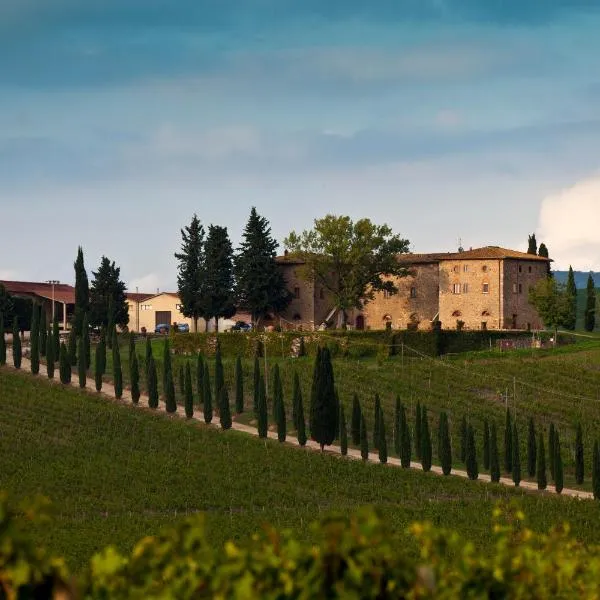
(260, 286)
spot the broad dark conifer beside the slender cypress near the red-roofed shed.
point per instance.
(107, 286)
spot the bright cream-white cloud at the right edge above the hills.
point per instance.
(568, 224)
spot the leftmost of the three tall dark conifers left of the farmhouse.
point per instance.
(190, 271)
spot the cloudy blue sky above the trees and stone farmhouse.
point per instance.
(449, 120)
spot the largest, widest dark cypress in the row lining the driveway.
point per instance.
(323, 409)
